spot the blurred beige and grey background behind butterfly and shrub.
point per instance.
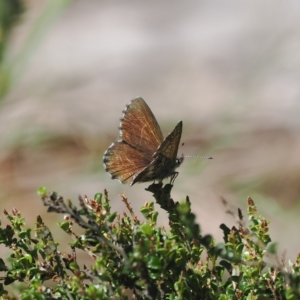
(229, 70)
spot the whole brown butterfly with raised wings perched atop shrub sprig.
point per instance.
(142, 154)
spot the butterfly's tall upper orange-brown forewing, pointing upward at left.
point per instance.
(139, 127)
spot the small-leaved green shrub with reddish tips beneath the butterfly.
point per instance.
(132, 258)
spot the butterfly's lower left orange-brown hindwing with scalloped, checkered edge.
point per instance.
(123, 162)
